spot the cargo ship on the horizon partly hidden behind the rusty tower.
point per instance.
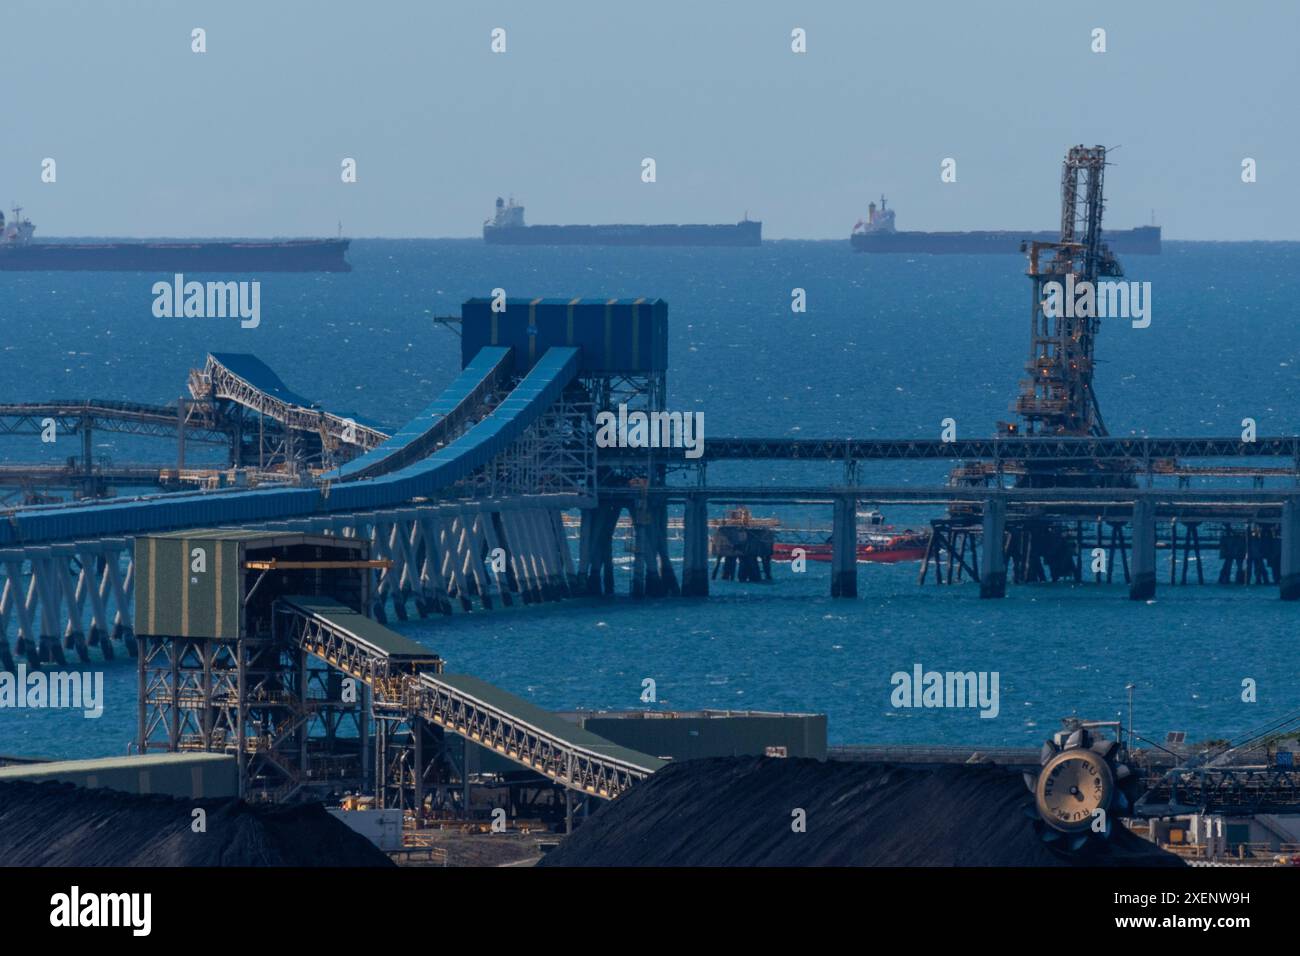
(878, 235)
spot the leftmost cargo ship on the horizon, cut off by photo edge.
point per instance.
(19, 253)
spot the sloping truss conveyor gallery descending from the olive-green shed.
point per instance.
(405, 677)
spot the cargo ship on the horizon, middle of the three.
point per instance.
(508, 228)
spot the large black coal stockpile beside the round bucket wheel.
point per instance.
(739, 812)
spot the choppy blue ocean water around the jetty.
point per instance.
(890, 347)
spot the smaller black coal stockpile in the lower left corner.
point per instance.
(60, 825)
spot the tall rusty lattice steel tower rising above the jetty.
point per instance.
(1058, 397)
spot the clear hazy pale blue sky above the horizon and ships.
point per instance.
(249, 139)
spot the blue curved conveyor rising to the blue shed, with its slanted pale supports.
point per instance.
(466, 508)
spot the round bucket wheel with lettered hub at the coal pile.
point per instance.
(1082, 786)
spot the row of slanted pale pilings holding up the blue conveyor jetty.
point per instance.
(445, 557)
